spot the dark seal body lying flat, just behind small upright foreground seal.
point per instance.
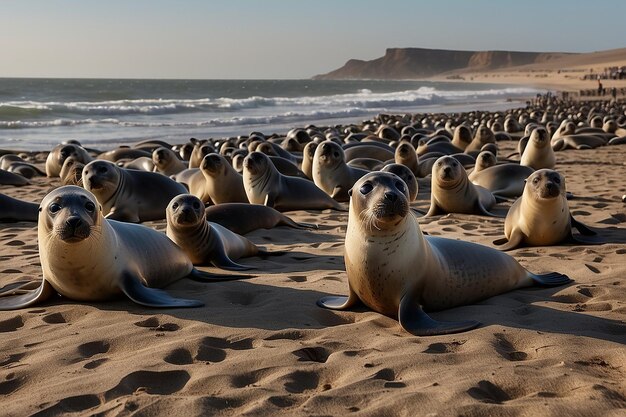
(243, 218)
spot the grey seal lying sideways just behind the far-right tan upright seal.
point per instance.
(504, 180)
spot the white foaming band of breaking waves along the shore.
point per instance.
(15, 112)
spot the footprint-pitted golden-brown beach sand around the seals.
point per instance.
(262, 347)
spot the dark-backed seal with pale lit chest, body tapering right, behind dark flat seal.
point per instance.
(265, 185)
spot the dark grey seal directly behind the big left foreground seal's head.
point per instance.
(127, 195)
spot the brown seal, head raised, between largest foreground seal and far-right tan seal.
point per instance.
(452, 192)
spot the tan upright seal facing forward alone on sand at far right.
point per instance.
(541, 216)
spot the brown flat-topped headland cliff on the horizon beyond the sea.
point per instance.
(408, 63)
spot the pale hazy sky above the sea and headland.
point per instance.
(279, 39)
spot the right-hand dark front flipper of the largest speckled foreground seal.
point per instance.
(415, 321)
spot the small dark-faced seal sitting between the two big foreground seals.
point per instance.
(205, 242)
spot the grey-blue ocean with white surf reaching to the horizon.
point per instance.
(36, 114)
